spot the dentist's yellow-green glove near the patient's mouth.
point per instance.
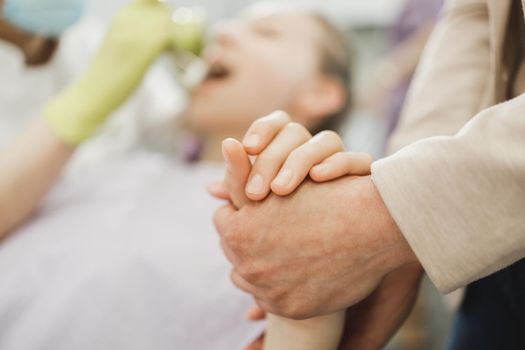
(138, 34)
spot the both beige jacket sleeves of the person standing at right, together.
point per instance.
(458, 197)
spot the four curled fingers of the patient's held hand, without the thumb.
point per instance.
(287, 153)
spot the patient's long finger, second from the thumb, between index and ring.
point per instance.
(269, 162)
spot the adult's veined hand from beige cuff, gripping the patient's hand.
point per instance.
(321, 249)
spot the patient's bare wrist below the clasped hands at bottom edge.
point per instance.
(318, 333)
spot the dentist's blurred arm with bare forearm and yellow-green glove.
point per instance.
(28, 167)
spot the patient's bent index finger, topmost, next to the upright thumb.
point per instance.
(263, 130)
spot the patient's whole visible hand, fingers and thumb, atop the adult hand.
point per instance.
(286, 153)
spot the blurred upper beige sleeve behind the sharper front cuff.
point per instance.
(450, 82)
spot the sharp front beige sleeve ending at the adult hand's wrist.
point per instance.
(460, 200)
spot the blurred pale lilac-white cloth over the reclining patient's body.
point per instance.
(124, 257)
